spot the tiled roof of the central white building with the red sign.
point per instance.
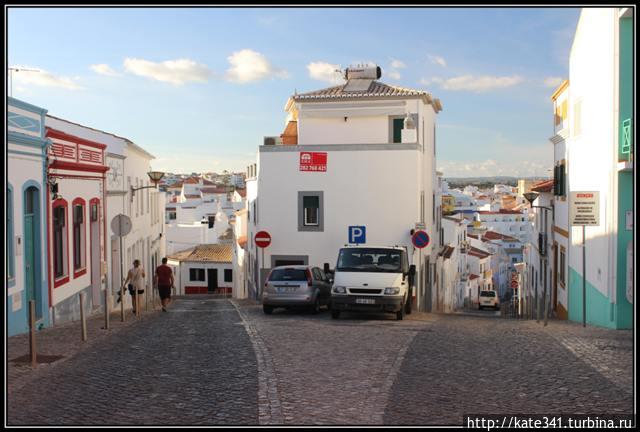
(376, 90)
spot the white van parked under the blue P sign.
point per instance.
(372, 278)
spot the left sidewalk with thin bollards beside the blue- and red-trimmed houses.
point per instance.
(63, 341)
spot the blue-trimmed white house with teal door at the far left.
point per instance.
(26, 251)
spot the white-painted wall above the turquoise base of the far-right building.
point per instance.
(592, 153)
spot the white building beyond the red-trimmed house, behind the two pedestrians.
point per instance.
(127, 165)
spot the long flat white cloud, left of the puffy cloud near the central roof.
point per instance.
(175, 72)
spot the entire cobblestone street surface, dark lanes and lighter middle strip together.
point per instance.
(216, 361)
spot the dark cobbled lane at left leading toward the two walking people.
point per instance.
(192, 365)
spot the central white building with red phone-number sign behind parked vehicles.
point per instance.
(359, 154)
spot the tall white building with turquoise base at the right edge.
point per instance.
(600, 158)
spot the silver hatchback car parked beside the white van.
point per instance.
(298, 285)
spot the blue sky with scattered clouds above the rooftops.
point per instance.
(200, 87)
